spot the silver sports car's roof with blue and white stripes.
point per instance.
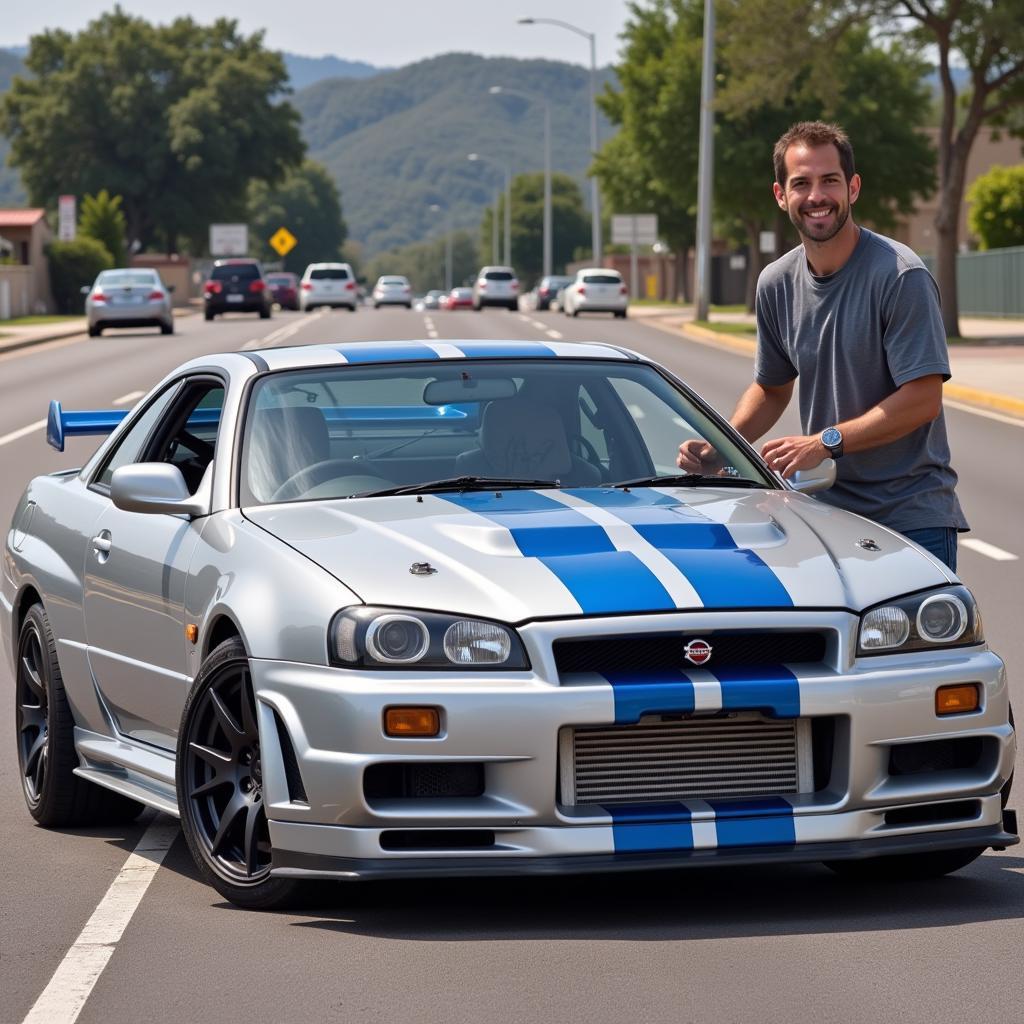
(378, 353)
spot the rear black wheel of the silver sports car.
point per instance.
(46, 728)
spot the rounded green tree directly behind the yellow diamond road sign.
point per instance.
(309, 205)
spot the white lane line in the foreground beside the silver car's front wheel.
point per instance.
(64, 998)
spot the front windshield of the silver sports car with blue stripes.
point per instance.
(336, 433)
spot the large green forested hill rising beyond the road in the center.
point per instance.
(398, 143)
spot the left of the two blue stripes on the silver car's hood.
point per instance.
(603, 580)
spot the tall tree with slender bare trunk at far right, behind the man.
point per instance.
(986, 37)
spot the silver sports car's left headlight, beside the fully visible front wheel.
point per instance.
(385, 638)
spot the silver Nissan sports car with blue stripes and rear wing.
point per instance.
(434, 609)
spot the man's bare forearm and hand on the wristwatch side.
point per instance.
(917, 403)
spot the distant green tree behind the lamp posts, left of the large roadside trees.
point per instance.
(570, 225)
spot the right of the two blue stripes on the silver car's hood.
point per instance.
(722, 574)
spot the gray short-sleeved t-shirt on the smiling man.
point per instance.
(854, 338)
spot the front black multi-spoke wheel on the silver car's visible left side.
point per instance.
(220, 785)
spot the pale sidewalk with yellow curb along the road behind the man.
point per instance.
(988, 366)
